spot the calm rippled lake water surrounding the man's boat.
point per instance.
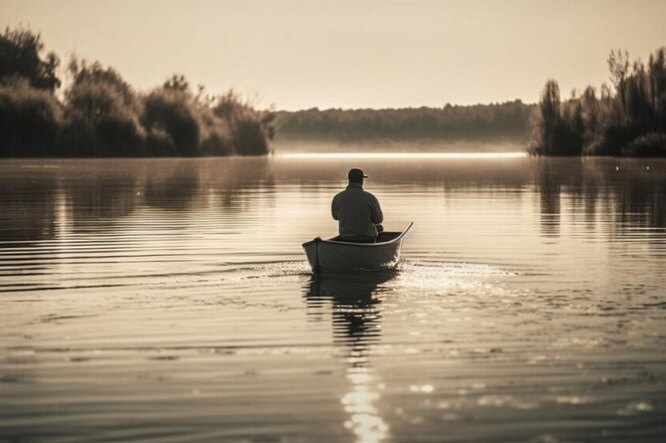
(171, 300)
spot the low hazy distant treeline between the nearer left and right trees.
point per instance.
(506, 120)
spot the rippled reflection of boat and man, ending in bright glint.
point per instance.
(354, 302)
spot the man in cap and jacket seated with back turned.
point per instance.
(357, 211)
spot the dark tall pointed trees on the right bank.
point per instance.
(629, 119)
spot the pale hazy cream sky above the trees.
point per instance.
(299, 54)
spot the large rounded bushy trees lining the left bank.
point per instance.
(98, 114)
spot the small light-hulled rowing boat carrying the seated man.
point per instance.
(334, 256)
